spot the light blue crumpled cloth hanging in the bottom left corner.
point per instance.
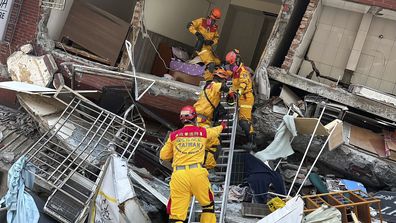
(20, 205)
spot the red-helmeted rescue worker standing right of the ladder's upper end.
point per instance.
(242, 84)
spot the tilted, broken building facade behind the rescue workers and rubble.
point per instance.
(337, 55)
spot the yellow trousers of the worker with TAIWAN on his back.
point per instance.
(183, 185)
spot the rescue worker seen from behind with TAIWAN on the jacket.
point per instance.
(186, 148)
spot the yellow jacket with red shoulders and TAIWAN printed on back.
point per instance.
(187, 145)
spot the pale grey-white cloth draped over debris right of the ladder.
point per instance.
(280, 146)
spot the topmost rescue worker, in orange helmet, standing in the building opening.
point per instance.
(205, 29)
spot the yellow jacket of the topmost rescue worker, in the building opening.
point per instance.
(208, 32)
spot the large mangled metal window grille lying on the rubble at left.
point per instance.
(75, 170)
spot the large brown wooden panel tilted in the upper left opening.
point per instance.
(96, 30)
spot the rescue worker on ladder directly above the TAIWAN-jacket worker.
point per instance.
(208, 100)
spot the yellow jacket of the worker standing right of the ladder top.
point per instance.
(242, 81)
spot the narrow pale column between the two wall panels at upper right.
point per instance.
(359, 42)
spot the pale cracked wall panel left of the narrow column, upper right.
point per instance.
(332, 42)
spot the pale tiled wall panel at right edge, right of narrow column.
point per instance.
(377, 64)
